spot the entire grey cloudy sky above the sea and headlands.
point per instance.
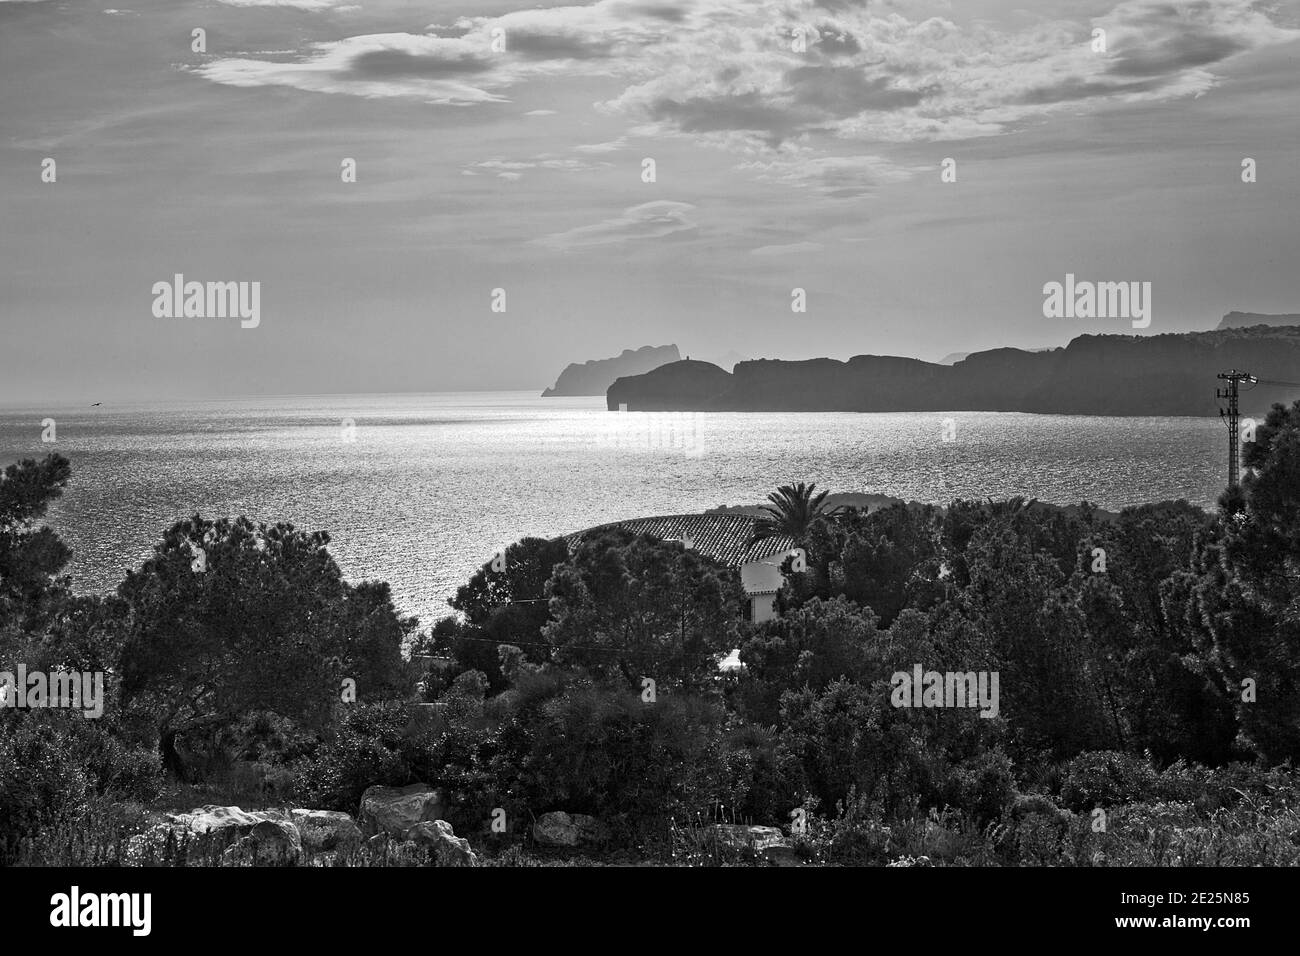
(504, 146)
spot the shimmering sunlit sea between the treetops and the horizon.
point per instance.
(422, 490)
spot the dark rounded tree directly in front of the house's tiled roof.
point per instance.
(636, 607)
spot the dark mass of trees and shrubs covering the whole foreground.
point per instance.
(1149, 669)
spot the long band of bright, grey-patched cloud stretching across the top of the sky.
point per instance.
(725, 72)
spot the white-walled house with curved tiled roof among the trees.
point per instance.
(726, 539)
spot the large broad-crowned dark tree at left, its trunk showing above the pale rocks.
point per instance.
(232, 617)
